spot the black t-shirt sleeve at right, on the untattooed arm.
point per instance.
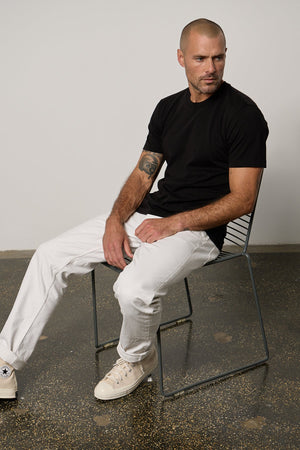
(247, 135)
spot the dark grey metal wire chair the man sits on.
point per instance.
(237, 236)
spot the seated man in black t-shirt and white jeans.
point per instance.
(213, 140)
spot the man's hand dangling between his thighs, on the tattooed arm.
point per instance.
(115, 240)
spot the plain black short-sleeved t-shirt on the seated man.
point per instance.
(199, 142)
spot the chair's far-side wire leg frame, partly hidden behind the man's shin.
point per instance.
(102, 345)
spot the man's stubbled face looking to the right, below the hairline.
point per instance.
(203, 58)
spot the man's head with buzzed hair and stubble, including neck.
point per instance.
(202, 53)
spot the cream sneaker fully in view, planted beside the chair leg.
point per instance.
(124, 377)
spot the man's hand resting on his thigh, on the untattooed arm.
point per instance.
(152, 230)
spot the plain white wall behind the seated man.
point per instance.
(79, 80)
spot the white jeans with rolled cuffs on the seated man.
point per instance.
(139, 287)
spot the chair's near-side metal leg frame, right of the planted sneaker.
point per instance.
(224, 374)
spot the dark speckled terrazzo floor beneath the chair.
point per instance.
(259, 409)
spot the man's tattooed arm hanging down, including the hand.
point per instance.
(131, 195)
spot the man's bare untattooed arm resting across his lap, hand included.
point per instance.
(243, 183)
